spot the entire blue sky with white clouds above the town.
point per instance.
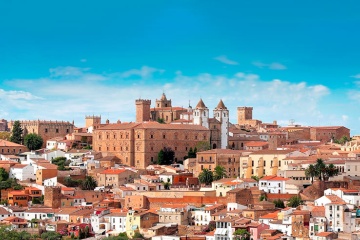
(290, 60)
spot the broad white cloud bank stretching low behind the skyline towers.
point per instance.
(59, 97)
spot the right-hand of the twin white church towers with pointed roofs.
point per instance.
(221, 113)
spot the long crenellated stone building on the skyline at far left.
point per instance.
(46, 129)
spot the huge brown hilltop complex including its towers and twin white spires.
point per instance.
(138, 143)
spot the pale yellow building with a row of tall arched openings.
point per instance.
(263, 163)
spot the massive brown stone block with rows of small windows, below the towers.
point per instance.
(138, 144)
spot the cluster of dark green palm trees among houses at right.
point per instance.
(321, 170)
